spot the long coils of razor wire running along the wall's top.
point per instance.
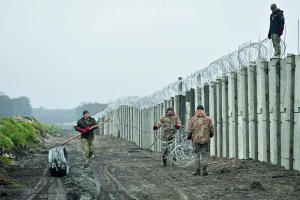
(233, 62)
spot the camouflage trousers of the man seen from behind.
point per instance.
(202, 153)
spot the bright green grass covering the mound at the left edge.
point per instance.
(20, 133)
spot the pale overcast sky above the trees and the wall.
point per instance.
(62, 53)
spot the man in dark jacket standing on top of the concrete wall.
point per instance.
(276, 29)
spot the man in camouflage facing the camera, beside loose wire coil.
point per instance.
(170, 123)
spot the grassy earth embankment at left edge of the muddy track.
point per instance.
(19, 135)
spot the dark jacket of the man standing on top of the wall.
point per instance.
(276, 22)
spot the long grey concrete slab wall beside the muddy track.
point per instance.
(255, 109)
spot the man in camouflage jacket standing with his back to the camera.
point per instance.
(200, 130)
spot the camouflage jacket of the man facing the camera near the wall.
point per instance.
(168, 123)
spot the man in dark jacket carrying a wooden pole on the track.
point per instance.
(87, 135)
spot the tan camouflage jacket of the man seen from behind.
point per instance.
(200, 128)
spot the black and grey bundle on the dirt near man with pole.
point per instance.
(58, 161)
